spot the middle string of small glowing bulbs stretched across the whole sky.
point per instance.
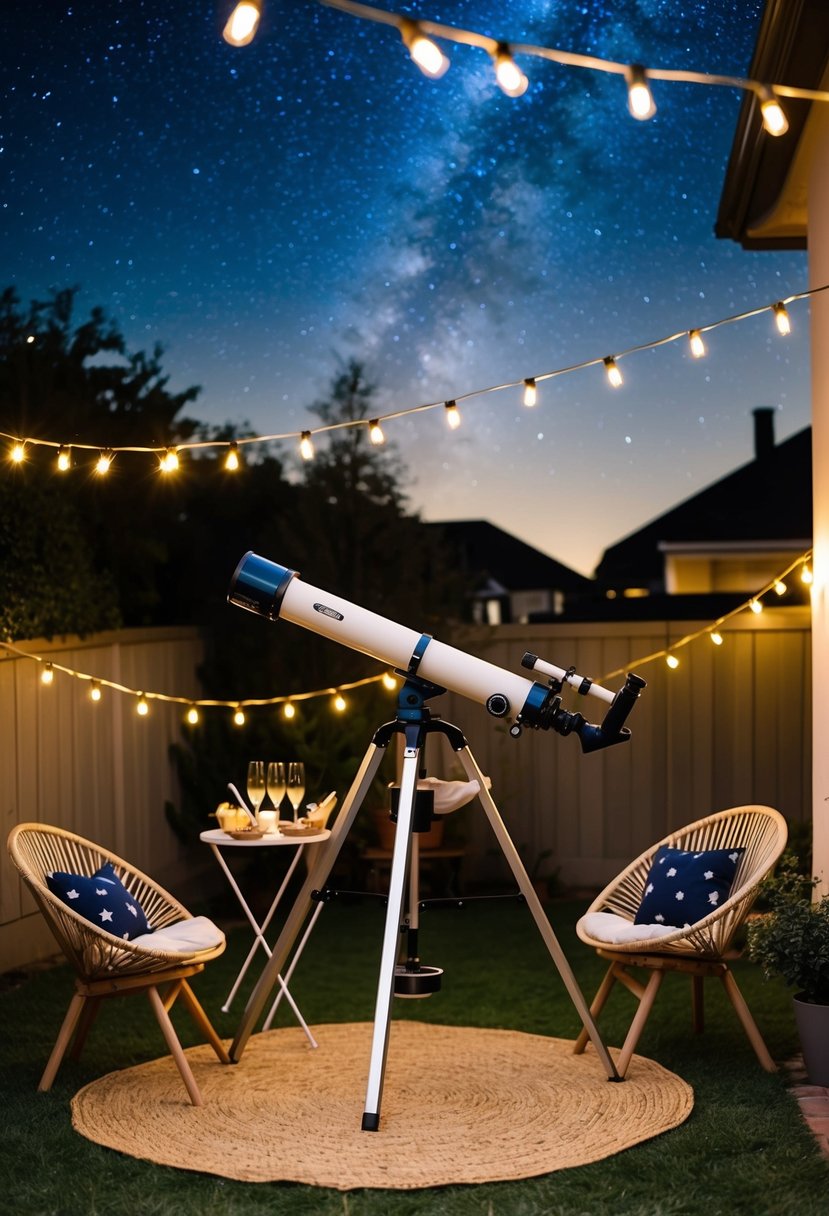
(234, 448)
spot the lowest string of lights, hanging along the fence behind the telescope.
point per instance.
(240, 705)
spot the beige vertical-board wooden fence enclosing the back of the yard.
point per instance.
(731, 725)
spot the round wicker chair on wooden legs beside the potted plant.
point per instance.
(697, 952)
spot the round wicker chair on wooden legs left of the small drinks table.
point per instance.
(108, 966)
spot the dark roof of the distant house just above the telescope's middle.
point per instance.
(500, 560)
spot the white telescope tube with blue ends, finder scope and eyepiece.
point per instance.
(279, 594)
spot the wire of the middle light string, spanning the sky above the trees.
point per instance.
(163, 451)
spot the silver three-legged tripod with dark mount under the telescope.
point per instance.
(415, 722)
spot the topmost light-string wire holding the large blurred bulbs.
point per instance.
(569, 59)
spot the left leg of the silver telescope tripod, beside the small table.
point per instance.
(326, 857)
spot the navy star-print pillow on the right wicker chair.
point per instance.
(685, 887)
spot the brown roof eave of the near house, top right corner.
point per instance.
(764, 199)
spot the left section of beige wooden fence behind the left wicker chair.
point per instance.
(95, 769)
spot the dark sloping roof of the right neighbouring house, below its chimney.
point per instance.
(766, 500)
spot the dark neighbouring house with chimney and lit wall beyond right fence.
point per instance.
(725, 542)
